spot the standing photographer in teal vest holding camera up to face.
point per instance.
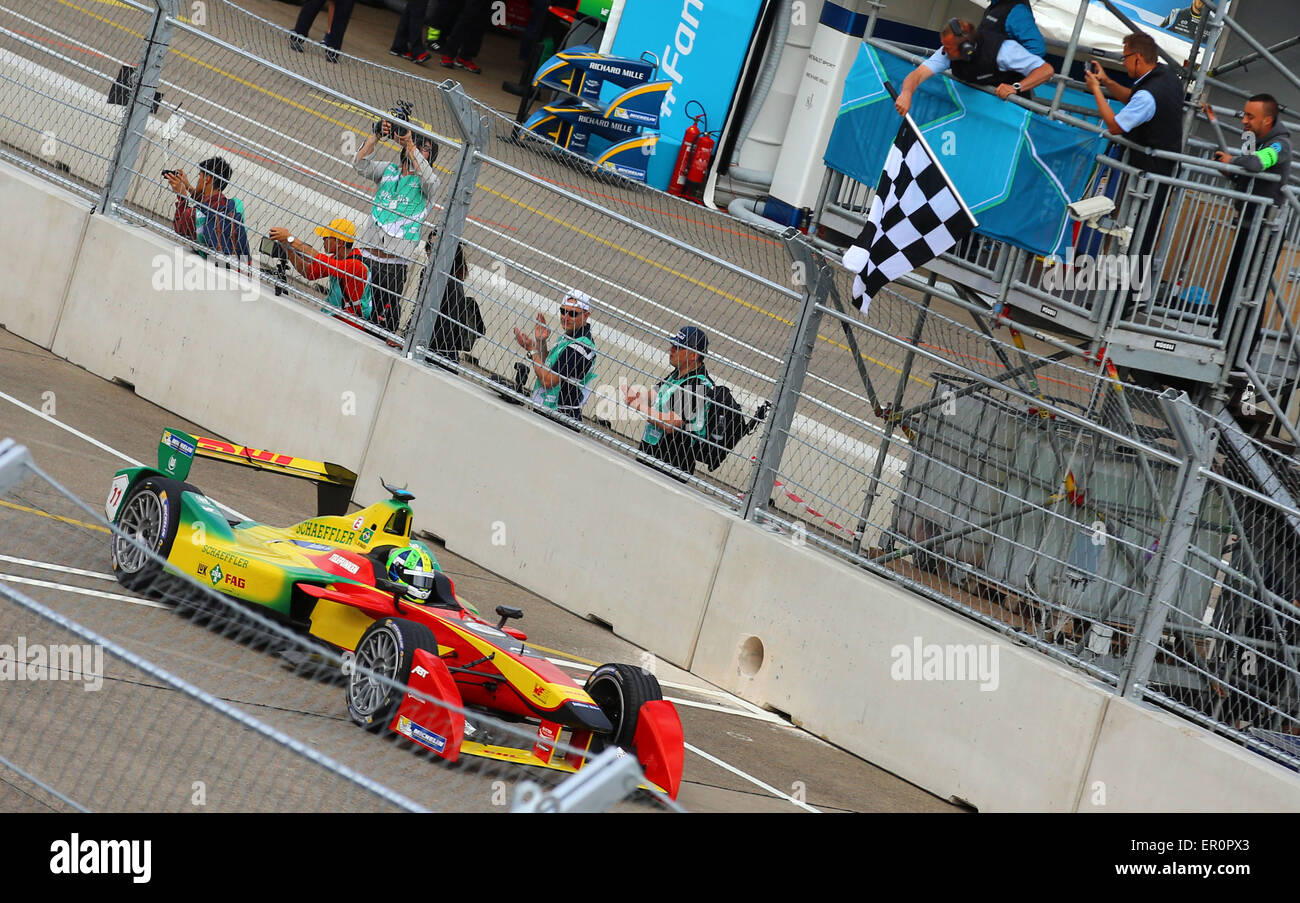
(391, 238)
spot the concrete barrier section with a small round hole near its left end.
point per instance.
(835, 649)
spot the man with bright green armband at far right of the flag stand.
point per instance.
(1272, 142)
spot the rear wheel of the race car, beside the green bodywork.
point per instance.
(149, 520)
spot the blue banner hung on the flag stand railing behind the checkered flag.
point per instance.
(1016, 171)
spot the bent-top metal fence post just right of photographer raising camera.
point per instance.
(475, 134)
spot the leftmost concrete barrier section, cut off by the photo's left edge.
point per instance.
(45, 228)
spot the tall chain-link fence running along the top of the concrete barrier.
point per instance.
(1008, 474)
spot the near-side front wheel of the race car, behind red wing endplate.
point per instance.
(385, 650)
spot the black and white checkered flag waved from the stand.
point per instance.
(916, 216)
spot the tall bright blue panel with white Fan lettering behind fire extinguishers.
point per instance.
(701, 46)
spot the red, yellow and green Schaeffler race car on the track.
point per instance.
(359, 584)
